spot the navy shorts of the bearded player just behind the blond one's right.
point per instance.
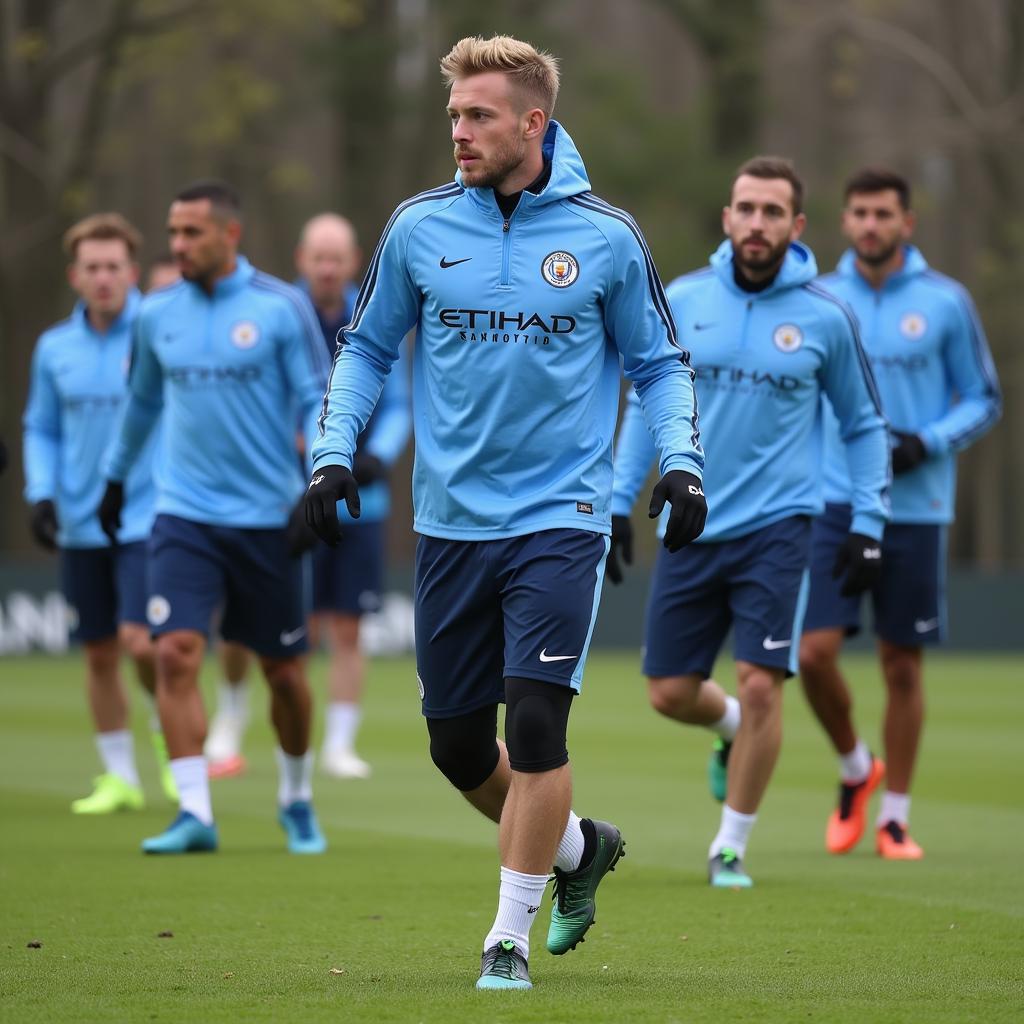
(756, 584)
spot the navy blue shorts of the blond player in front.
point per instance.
(486, 611)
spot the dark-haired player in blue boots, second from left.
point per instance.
(226, 356)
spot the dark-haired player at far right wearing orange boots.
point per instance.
(941, 394)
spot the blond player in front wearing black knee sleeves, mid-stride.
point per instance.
(527, 291)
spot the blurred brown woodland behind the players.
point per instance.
(338, 105)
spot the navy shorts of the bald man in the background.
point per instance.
(350, 579)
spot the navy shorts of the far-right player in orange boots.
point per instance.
(910, 603)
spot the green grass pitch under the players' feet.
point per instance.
(399, 907)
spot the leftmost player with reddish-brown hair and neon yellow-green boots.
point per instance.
(77, 390)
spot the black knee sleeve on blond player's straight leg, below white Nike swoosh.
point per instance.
(536, 719)
